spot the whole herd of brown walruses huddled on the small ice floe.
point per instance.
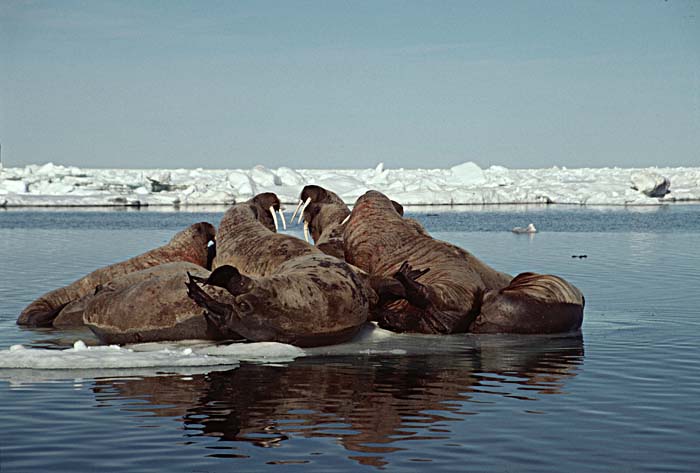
(246, 281)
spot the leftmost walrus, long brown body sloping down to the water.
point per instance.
(188, 245)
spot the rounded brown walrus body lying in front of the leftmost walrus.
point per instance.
(154, 309)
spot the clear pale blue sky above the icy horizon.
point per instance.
(338, 84)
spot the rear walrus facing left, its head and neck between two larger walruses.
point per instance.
(324, 215)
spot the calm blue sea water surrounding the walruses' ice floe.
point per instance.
(623, 396)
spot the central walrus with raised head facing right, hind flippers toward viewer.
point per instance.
(280, 288)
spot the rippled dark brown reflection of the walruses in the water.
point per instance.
(372, 406)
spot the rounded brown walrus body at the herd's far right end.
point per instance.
(531, 304)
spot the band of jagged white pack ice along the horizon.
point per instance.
(467, 183)
